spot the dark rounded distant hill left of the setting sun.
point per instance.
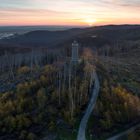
(43, 37)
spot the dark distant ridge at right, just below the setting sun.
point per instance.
(116, 32)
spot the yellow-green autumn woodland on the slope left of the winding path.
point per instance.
(58, 95)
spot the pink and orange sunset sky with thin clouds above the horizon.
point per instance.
(69, 12)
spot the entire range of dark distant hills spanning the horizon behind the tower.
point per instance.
(94, 35)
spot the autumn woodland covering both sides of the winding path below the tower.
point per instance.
(52, 93)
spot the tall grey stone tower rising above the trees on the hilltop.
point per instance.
(75, 48)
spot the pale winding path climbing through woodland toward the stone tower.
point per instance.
(83, 124)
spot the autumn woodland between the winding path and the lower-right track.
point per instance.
(116, 108)
